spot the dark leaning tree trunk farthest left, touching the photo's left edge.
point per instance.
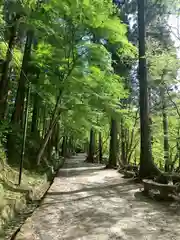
(4, 83)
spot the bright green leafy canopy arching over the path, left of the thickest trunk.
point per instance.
(72, 61)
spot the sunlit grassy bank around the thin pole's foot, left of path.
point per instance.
(13, 198)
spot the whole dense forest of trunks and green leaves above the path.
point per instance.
(72, 79)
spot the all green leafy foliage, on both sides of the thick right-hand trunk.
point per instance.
(80, 69)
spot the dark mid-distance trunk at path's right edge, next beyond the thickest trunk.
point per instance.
(113, 145)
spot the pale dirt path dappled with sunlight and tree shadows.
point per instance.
(99, 204)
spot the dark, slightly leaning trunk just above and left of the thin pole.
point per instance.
(17, 116)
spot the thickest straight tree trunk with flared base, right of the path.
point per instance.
(147, 167)
